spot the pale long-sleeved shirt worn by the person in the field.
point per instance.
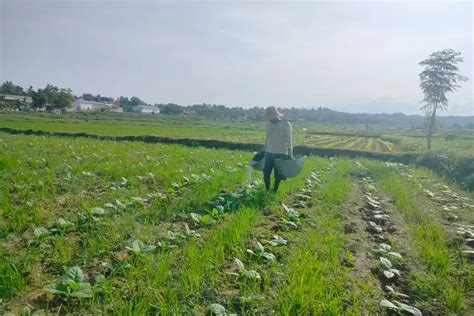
(279, 138)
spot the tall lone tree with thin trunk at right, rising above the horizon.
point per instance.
(440, 76)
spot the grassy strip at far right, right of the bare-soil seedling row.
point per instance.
(441, 280)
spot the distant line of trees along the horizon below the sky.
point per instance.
(54, 97)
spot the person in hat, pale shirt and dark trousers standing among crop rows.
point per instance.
(278, 145)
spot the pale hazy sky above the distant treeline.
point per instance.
(354, 56)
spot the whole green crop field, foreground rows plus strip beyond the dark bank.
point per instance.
(92, 226)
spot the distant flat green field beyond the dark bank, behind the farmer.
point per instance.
(354, 137)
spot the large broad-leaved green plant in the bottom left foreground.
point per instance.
(72, 285)
